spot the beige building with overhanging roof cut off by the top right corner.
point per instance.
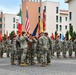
(72, 12)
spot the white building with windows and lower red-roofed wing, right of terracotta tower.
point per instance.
(56, 19)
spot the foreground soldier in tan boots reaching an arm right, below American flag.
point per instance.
(24, 45)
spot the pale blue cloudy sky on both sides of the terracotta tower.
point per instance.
(12, 6)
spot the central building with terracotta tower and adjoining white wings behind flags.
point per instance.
(56, 19)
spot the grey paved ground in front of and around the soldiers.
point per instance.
(58, 67)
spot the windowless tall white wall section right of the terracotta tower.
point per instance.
(51, 16)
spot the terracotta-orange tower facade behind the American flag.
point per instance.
(33, 7)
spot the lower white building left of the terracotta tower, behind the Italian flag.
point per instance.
(10, 22)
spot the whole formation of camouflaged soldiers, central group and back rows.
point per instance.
(25, 48)
